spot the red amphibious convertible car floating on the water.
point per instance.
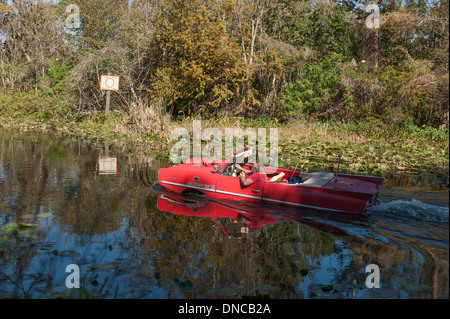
(317, 190)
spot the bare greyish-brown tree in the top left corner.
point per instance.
(30, 39)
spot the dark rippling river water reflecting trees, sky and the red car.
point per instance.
(64, 202)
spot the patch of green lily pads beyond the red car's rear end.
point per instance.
(371, 157)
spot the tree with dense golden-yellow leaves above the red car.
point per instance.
(200, 67)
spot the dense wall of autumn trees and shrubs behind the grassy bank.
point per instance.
(281, 59)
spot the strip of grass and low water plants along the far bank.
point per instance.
(367, 148)
